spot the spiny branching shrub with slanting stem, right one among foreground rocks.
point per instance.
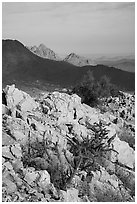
(89, 149)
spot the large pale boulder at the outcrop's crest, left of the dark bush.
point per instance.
(63, 106)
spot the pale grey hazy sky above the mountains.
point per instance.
(83, 28)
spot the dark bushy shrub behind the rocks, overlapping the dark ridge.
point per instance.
(91, 91)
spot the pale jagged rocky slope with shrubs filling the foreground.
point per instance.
(55, 148)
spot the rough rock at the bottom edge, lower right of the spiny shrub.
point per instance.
(105, 188)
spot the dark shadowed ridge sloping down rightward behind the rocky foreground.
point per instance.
(21, 64)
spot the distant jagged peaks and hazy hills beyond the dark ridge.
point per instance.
(126, 64)
